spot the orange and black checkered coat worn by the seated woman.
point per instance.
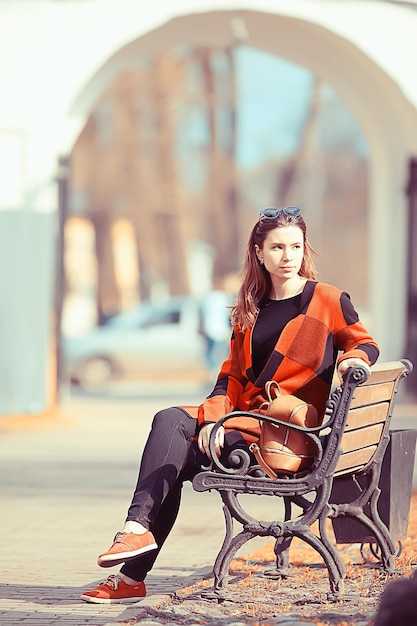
(326, 331)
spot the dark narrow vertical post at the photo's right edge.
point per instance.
(411, 332)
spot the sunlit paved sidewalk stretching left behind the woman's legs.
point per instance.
(66, 483)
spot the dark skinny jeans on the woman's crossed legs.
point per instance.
(171, 456)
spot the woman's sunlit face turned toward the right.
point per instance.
(282, 252)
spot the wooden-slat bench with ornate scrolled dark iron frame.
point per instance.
(351, 442)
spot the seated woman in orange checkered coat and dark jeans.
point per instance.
(286, 327)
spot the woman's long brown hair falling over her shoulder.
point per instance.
(256, 284)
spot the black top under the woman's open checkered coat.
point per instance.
(273, 316)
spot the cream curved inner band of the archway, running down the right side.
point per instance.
(373, 97)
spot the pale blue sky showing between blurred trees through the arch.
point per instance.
(273, 98)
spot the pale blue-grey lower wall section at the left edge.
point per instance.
(27, 287)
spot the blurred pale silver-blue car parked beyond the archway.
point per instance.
(152, 340)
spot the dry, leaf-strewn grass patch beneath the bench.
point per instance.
(254, 598)
